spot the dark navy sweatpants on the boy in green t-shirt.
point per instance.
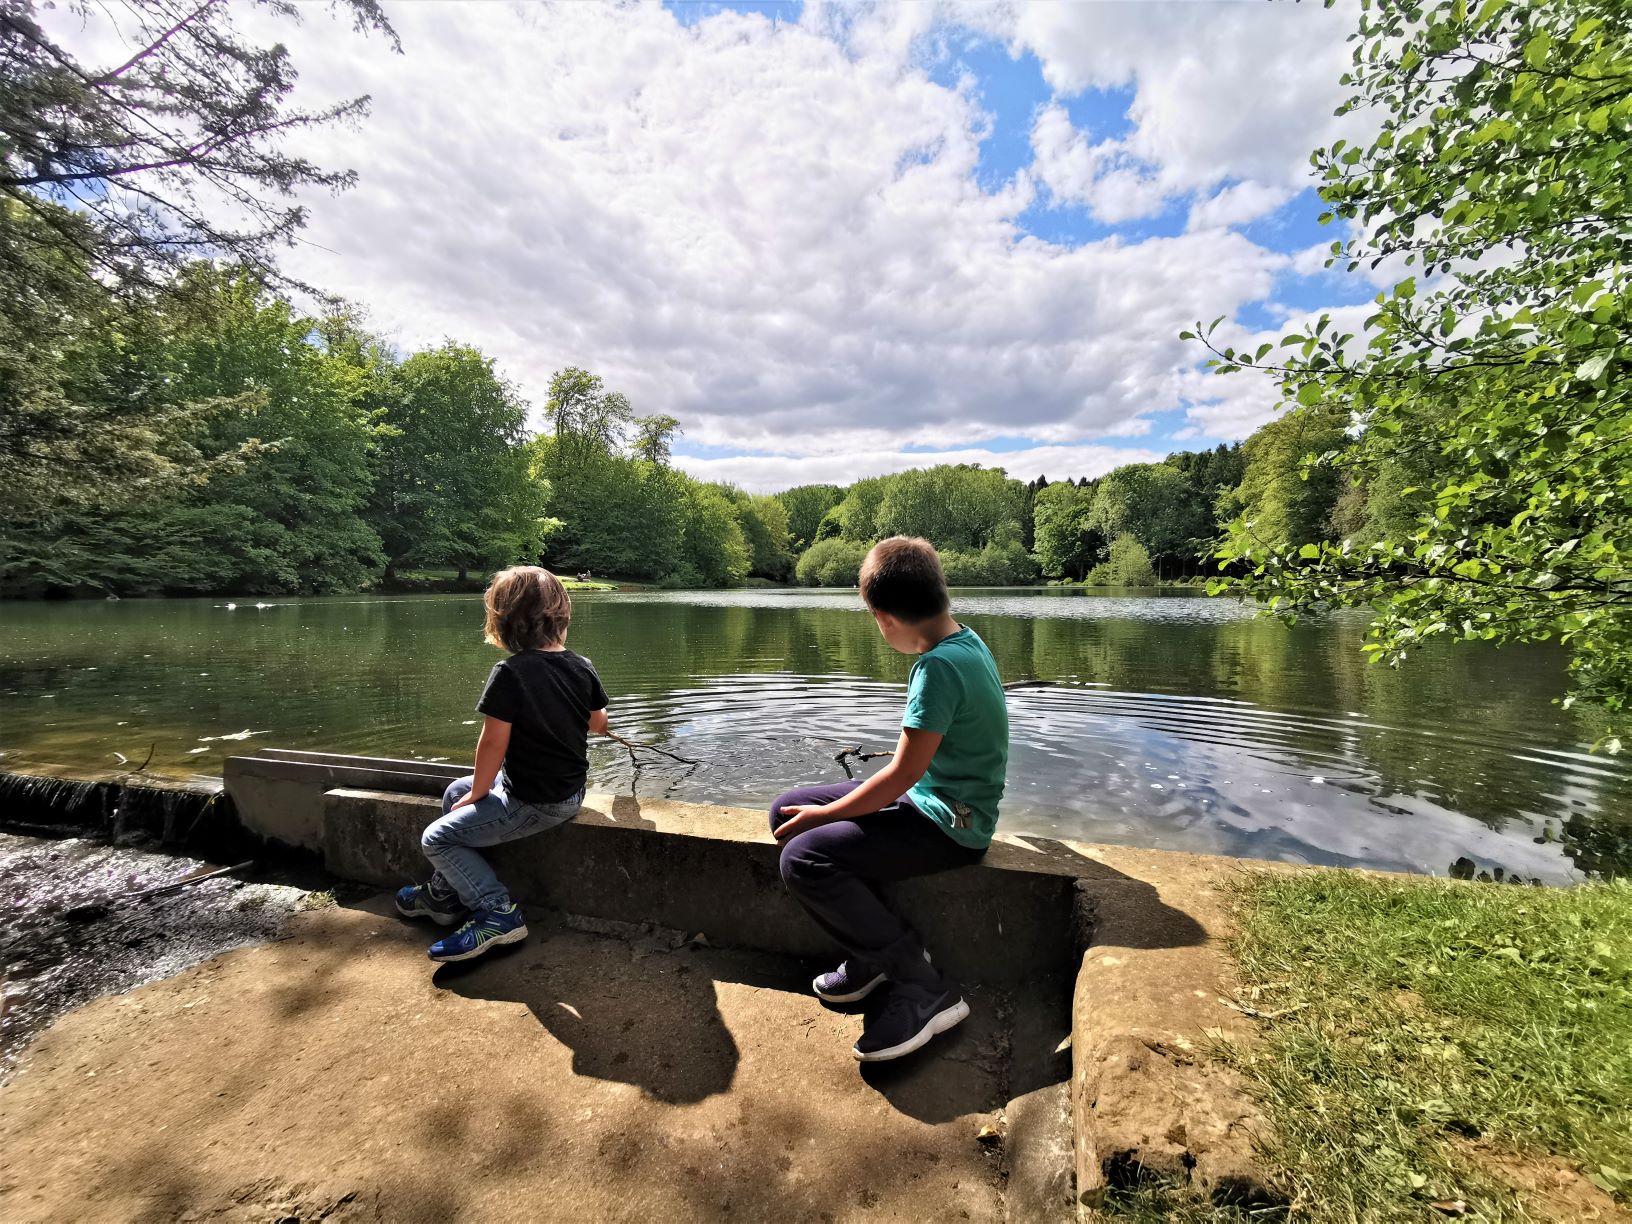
(835, 872)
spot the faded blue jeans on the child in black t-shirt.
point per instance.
(492, 820)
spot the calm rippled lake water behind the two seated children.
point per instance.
(1177, 721)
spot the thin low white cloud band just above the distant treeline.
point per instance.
(768, 474)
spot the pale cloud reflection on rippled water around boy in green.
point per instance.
(1212, 776)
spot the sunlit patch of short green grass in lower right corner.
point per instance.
(1417, 1027)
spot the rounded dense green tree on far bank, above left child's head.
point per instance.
(453, 482)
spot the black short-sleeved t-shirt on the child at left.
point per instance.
(548, 698)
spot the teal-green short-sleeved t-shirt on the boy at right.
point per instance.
(954, 690)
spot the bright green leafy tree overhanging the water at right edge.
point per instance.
(1499, 177)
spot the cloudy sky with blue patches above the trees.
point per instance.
(838, 241)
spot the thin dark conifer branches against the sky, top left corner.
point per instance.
(148, 151)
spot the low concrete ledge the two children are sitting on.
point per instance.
(714, 871)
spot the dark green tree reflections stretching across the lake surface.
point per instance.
(779, 688)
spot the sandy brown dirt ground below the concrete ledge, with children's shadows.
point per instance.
(339, 1075)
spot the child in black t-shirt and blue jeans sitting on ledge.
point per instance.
(541, 706)
